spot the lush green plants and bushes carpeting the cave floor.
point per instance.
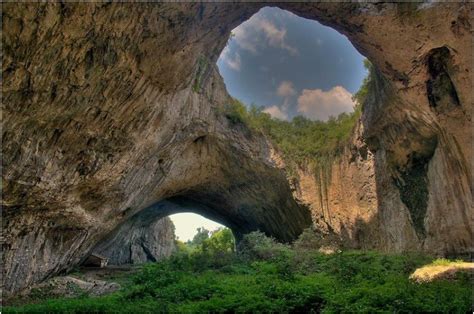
(266, 276)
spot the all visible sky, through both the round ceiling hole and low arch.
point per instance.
(291, 66)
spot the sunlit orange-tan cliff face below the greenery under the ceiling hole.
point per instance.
(342, 196)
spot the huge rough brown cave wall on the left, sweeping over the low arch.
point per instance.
(111, 108)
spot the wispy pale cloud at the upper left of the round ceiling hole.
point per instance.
(259, 31)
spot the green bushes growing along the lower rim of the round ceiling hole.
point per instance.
(301, 140)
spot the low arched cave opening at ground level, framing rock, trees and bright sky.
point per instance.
(162, 229)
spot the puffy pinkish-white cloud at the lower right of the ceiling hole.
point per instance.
(320, 105)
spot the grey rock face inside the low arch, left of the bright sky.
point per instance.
(143, 238)
